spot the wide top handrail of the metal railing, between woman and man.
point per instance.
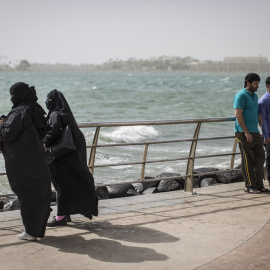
(161, 122)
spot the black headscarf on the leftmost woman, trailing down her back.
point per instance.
(22, 94)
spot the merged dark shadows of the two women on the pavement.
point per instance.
(111, 250)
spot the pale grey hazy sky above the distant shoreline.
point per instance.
(93, 31)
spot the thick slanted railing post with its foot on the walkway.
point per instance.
(191, 160)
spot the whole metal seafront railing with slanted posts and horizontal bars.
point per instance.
(190, 158)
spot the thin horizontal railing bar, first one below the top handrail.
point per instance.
(159, 142)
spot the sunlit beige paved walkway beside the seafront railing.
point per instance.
(221, 227)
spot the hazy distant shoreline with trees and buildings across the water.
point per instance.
(158, 64)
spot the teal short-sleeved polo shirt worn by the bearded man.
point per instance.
(249, 104)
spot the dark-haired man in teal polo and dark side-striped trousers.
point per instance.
(248, 135)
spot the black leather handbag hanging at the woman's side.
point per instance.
(61, 147)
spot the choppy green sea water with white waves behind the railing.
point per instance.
(136, 96)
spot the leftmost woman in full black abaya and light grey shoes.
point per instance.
(29, 177)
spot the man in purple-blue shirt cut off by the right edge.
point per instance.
(264, 110)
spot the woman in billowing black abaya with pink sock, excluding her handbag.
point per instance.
(73, 182)
